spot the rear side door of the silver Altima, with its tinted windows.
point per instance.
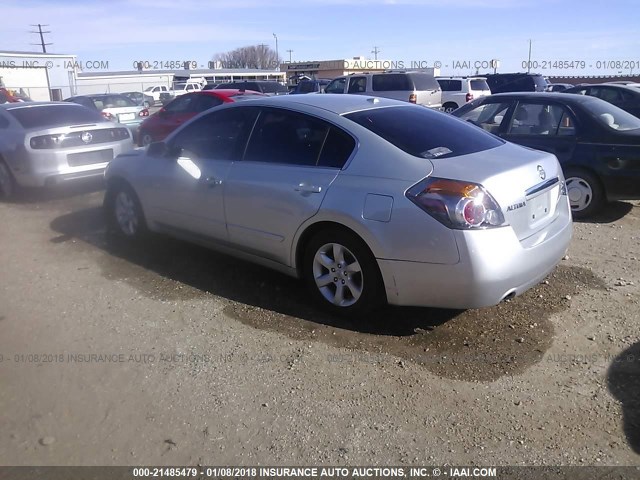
(290, 162)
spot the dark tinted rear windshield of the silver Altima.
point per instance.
(425, 133)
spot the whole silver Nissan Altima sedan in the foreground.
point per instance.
(367, 200)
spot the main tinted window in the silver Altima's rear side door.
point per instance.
(282, 136)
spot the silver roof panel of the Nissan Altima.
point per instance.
(338, 104)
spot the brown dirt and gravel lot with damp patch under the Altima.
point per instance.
(174, 355)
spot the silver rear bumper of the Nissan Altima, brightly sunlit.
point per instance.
(494, 265)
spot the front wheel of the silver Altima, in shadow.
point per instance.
(125, 218)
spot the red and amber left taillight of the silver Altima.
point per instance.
(457, 204)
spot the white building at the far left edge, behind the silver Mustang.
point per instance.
(41, 76)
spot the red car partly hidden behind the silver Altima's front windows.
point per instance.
(167, 119)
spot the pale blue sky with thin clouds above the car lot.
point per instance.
(567, 36)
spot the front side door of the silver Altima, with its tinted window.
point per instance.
(186, 190)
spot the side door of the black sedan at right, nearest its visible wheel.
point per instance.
(545, 126)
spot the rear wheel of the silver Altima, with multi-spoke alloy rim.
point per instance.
(342, 274)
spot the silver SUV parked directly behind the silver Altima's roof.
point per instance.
(414, 87)
